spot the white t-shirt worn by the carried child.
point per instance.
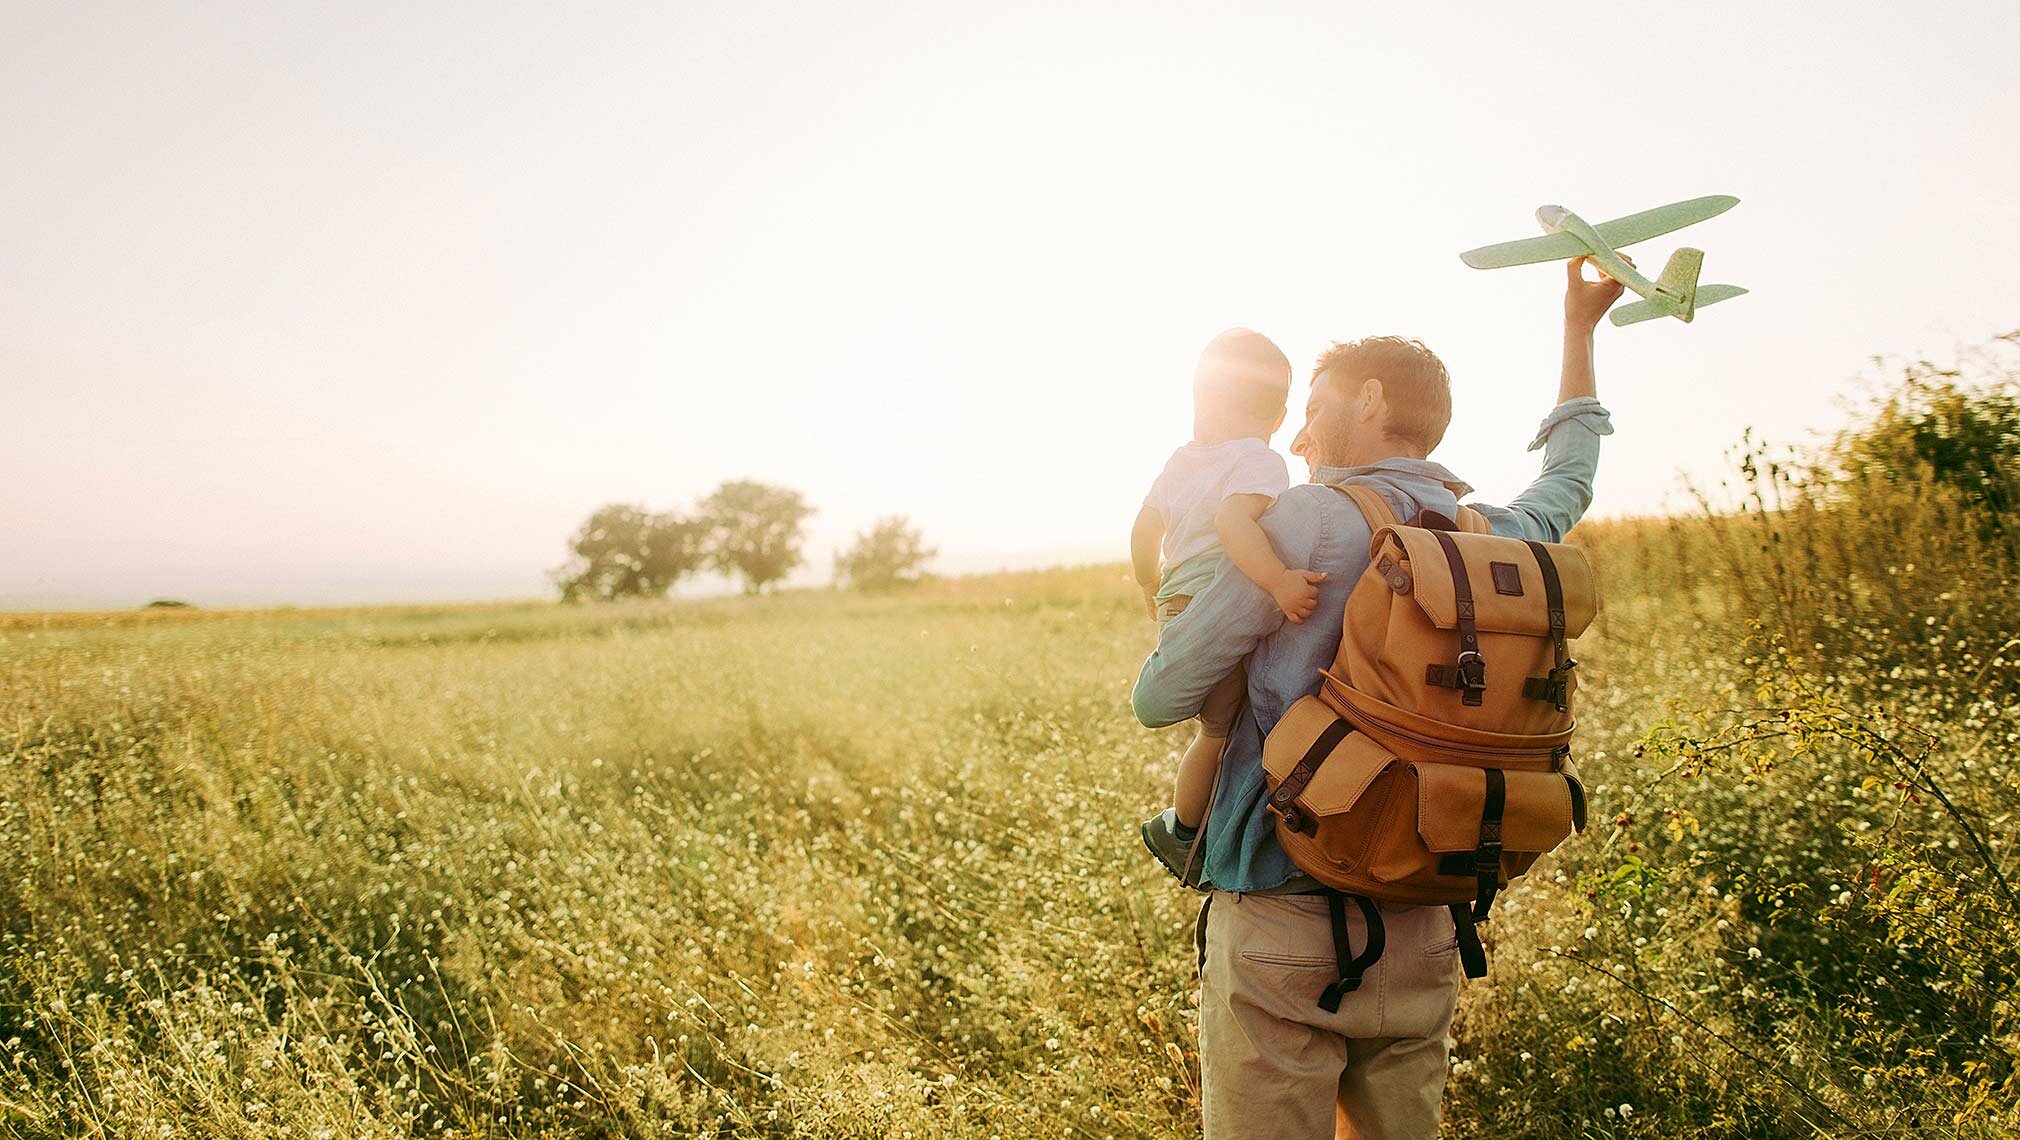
(1191, 490)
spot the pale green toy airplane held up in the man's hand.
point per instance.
(1674, 294)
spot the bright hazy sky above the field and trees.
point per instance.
(377, 302)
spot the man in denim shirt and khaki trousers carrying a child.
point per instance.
(1272, 1062)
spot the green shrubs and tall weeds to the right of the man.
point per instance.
(1801, 919)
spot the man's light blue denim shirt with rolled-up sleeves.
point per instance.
(1318, 529)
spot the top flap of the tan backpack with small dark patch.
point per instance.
(1508, 583)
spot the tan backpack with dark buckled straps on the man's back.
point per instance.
(1435, 761)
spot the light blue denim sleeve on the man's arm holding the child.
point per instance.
(1223, 624)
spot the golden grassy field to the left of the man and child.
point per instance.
(813, 862)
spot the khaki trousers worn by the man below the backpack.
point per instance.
(1278, 1066)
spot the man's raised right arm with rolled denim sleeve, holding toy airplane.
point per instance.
(1571, 434)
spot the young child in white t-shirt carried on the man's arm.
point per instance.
(1209, 500)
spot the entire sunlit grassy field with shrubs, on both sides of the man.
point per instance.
(868, 866)
